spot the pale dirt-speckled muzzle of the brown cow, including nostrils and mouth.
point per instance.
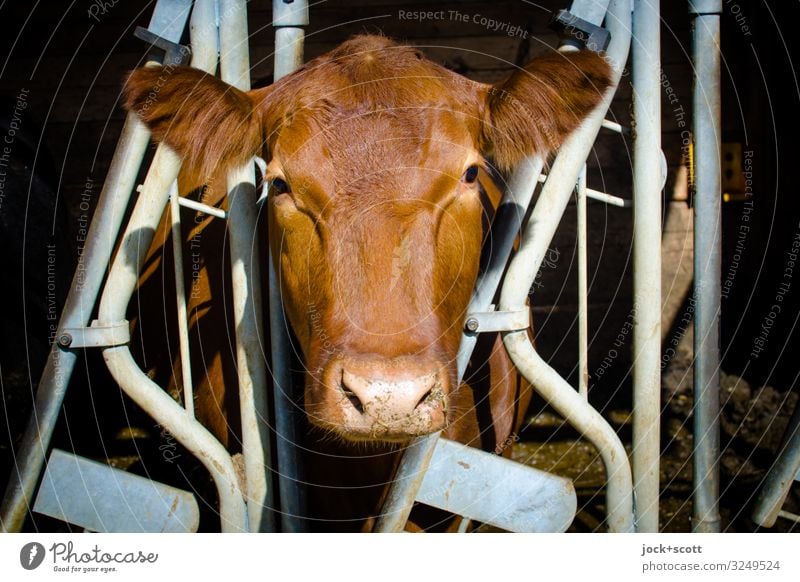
(389, 400)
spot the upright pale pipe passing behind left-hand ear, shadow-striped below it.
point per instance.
(246, 283)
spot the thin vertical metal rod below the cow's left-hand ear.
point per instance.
(180, 299)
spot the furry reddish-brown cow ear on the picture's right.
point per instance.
(537, 107)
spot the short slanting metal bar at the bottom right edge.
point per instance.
(783, 472)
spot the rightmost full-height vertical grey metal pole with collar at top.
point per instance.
(707, 262)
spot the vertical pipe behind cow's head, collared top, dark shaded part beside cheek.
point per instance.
(289, 18)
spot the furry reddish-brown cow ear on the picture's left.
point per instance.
(210, 124)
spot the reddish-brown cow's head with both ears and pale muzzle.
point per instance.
(375, 211)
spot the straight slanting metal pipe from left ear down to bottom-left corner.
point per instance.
(77, 312)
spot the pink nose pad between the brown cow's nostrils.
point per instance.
(383, 398)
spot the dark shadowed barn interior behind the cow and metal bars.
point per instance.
(71, 68)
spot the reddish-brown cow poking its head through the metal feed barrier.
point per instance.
(378, 205)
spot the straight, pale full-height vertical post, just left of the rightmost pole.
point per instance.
(647, 183)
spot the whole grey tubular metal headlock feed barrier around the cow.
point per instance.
(219, 35)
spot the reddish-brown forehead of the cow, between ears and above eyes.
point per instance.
(373, 106)
